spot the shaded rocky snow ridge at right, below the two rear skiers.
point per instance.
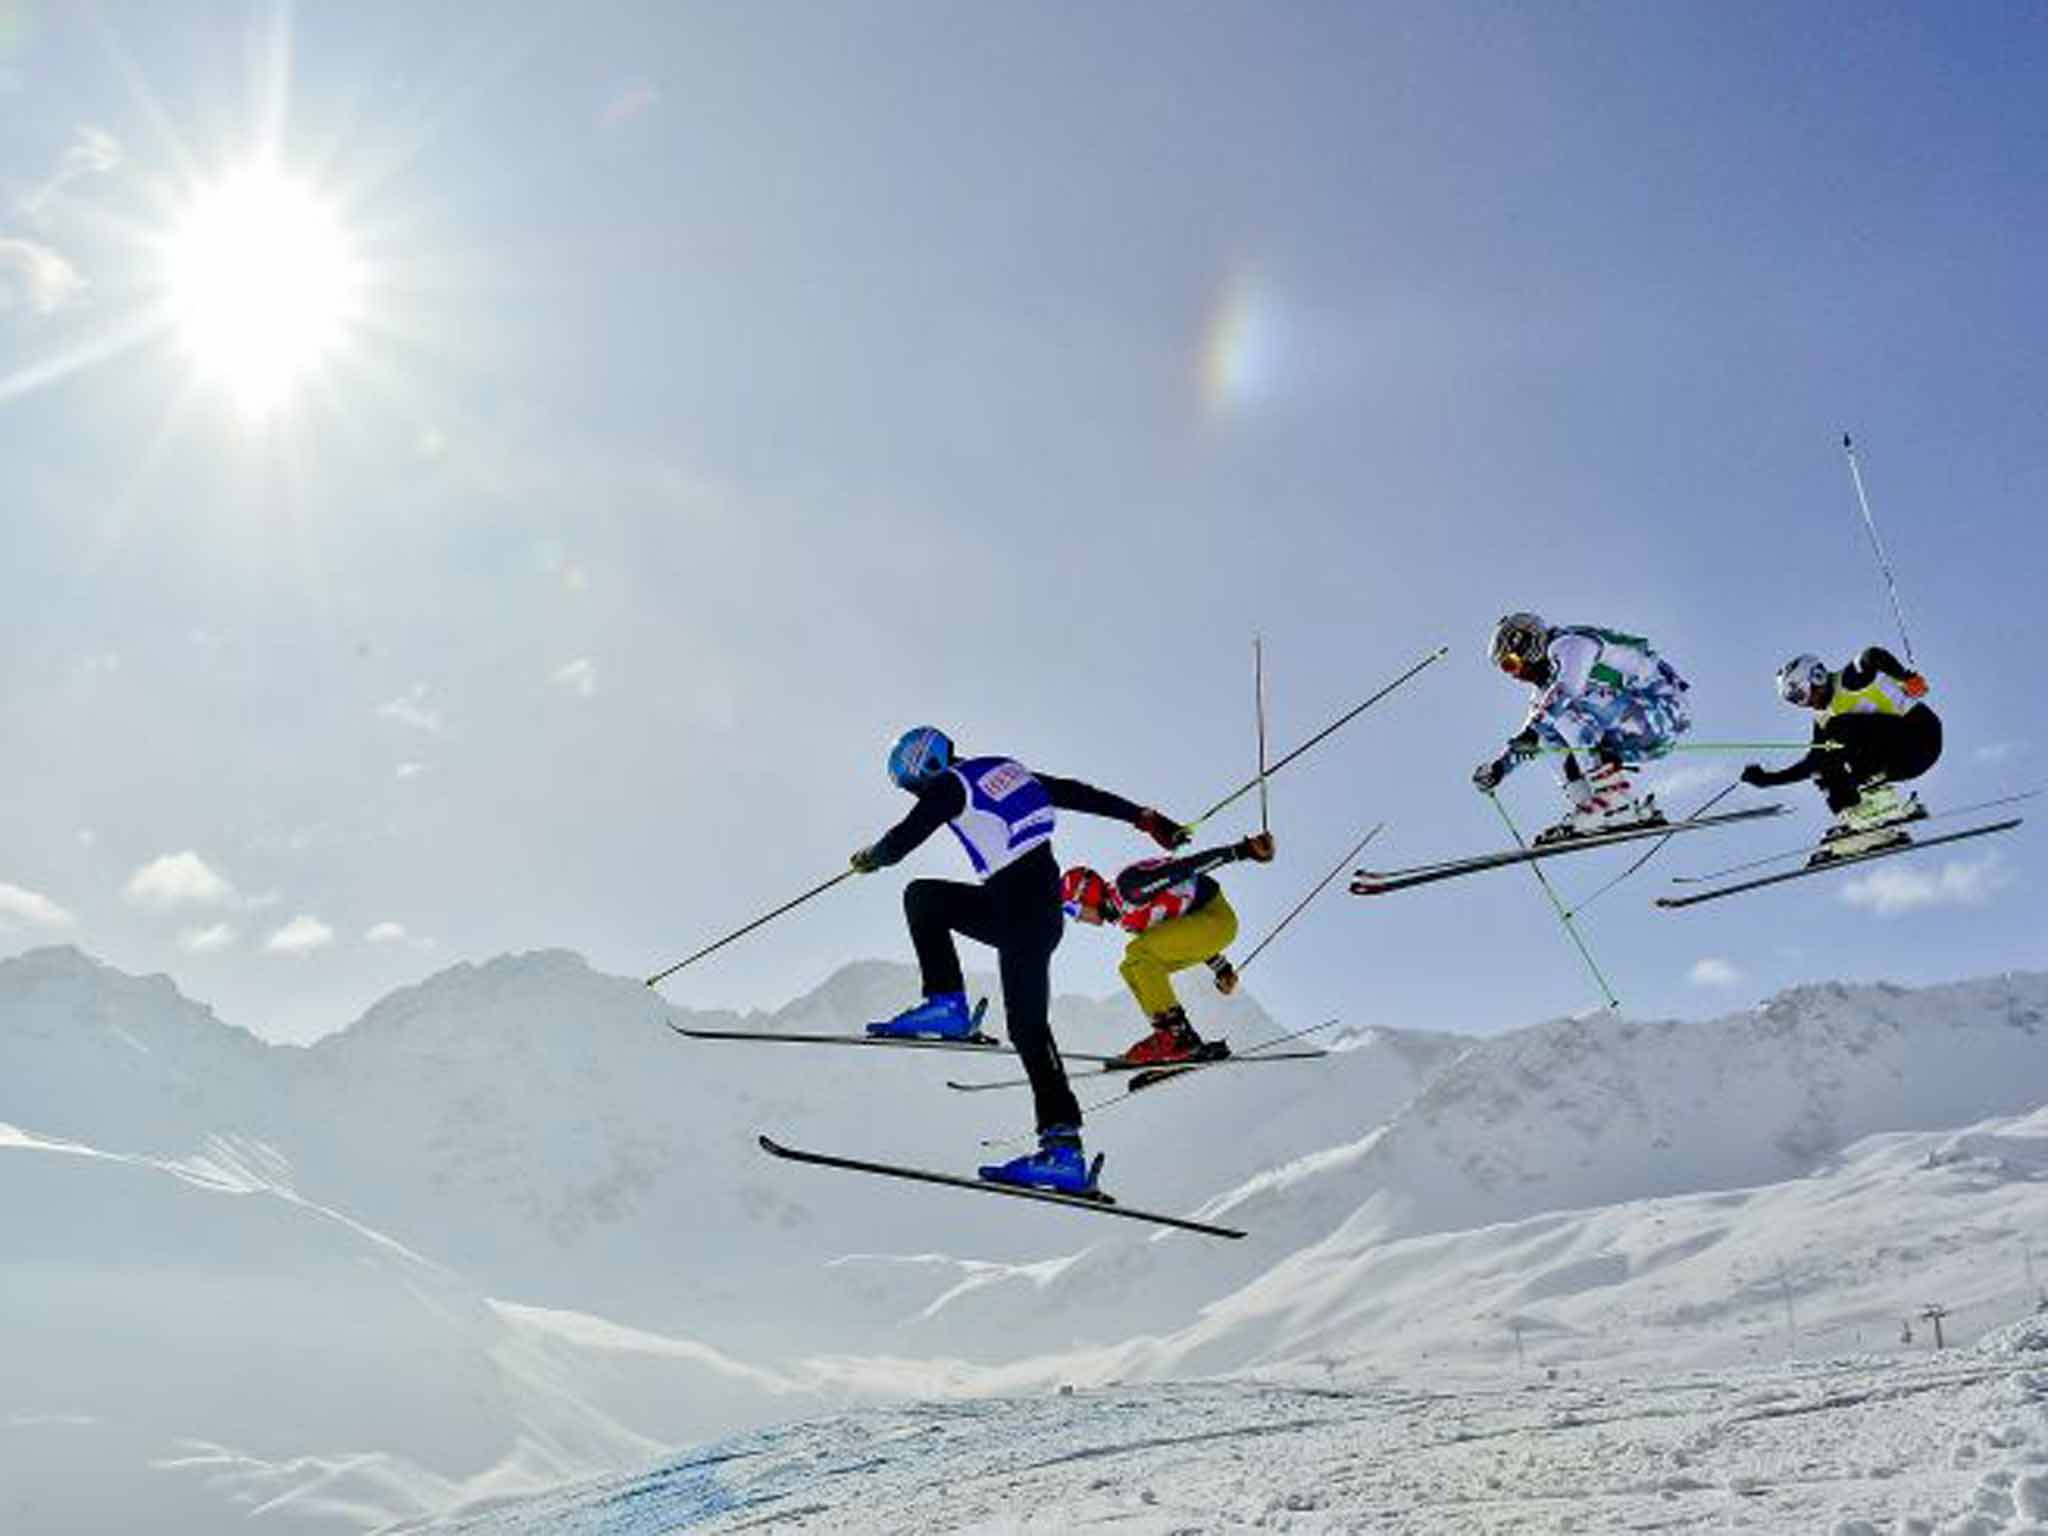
(1562, 1117)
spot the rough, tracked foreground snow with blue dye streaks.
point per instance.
(1953, 1443)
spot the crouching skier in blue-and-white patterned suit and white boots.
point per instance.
(1598, 693)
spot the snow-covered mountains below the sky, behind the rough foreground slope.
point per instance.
(517, 1181)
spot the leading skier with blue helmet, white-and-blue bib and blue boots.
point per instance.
(1005, 816)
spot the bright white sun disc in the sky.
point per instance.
(263, 286)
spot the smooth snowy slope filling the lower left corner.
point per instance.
(196, 1340)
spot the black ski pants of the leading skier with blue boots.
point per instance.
(1017, 914)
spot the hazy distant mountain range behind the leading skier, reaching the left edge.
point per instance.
(536, 1127)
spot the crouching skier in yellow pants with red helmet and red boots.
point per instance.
(1177, 916)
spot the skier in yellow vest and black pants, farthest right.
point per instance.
(1871, 732)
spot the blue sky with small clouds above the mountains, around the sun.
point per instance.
(734, 386)
